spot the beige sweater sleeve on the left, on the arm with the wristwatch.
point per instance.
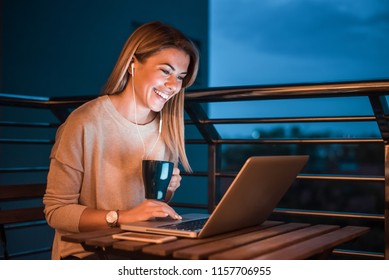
(61, 200)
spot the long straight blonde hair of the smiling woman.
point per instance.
(144, 42)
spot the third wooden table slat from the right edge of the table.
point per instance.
(202, 251)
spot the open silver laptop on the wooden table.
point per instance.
(249, 201)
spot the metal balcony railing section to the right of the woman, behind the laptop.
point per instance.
(375, 91)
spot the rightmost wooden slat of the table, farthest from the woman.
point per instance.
(316, 245)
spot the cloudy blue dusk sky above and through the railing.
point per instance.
(271, 42)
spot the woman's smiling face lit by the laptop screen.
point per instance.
(159, 78)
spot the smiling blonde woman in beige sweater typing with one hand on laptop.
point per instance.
(95, 171)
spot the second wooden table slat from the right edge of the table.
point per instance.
(273, 243)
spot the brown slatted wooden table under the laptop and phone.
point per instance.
(271, 240)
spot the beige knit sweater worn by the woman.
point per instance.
(95, 163)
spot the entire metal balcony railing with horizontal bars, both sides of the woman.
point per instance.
(196, 108)
